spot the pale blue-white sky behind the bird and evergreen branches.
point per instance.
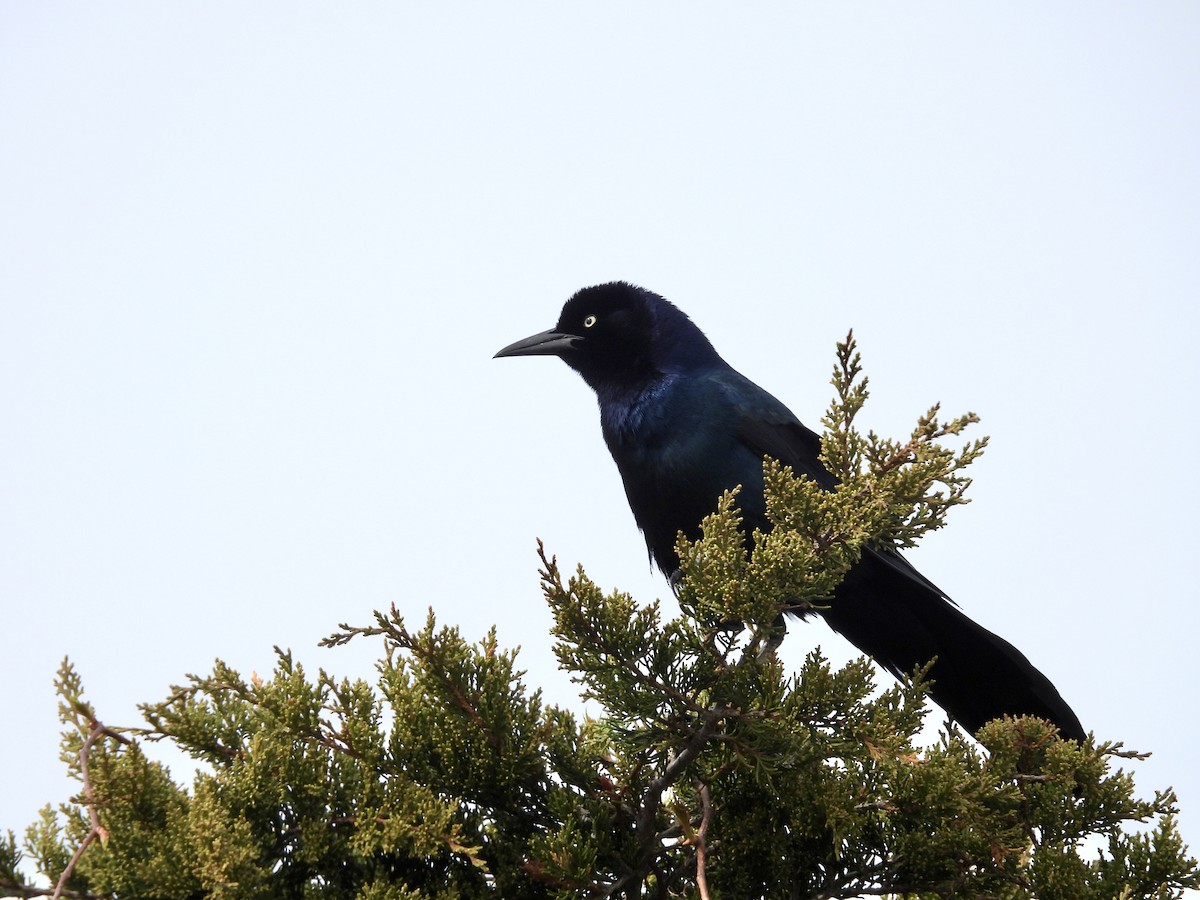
(255, 261)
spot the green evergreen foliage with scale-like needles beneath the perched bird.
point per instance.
(710, 771)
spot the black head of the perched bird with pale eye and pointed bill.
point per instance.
(619, 333)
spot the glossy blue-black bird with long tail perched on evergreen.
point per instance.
(683, 427)
